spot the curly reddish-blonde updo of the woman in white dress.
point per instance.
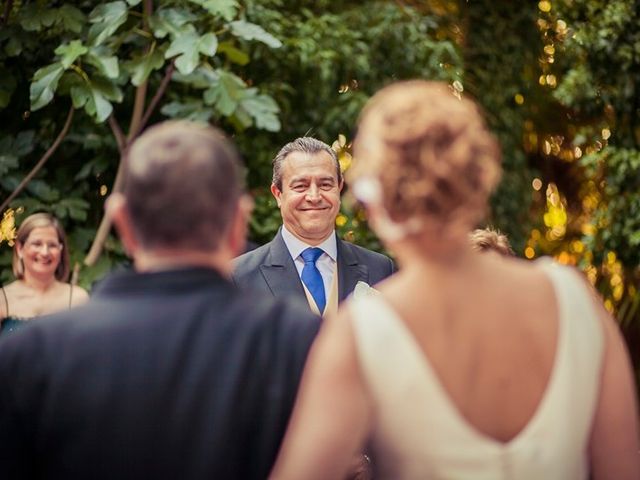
(432, 153)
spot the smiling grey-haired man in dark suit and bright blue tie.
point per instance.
(306, 259)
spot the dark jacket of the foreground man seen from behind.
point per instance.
(163, 375)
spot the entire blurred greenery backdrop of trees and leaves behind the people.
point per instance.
(559, 81)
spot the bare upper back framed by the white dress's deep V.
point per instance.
(490, 333)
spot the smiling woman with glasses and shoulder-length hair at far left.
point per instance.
(41, 269)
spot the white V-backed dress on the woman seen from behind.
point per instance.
(420, 434)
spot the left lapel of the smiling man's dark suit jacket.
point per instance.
(280, 272)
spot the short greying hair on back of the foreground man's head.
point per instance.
(182, 186)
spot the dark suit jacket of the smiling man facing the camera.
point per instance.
(271, 269)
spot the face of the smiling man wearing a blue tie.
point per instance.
(310, 198)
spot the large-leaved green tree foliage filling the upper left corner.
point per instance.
(98, 58)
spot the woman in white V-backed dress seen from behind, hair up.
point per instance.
(466, 365)
